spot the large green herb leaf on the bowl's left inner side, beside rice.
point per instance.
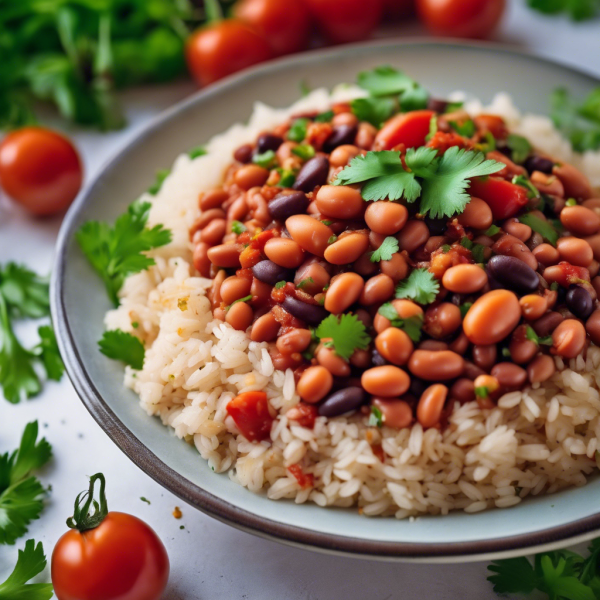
(118, 251)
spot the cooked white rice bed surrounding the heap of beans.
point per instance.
(536, 441)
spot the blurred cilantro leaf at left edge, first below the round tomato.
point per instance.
(25, 292)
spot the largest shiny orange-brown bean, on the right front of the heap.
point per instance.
(492, 317)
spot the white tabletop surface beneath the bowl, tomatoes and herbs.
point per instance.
(210, 560)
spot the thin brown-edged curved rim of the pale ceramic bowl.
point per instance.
(196, 496)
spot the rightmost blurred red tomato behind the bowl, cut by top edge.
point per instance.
(461, 18)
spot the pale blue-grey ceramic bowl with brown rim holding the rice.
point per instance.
(79, 303)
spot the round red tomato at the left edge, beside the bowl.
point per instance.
(40, 169)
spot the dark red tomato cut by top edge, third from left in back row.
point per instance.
(346, 20)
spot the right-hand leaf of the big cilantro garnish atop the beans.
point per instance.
(445, 194)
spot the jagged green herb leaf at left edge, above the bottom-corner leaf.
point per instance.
(21, 494)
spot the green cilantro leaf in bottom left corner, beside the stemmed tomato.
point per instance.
(31, 561)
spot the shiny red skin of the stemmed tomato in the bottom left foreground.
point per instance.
(121, 559)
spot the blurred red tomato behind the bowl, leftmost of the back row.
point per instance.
(223, 48)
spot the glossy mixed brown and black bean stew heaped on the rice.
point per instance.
(508, 283)
